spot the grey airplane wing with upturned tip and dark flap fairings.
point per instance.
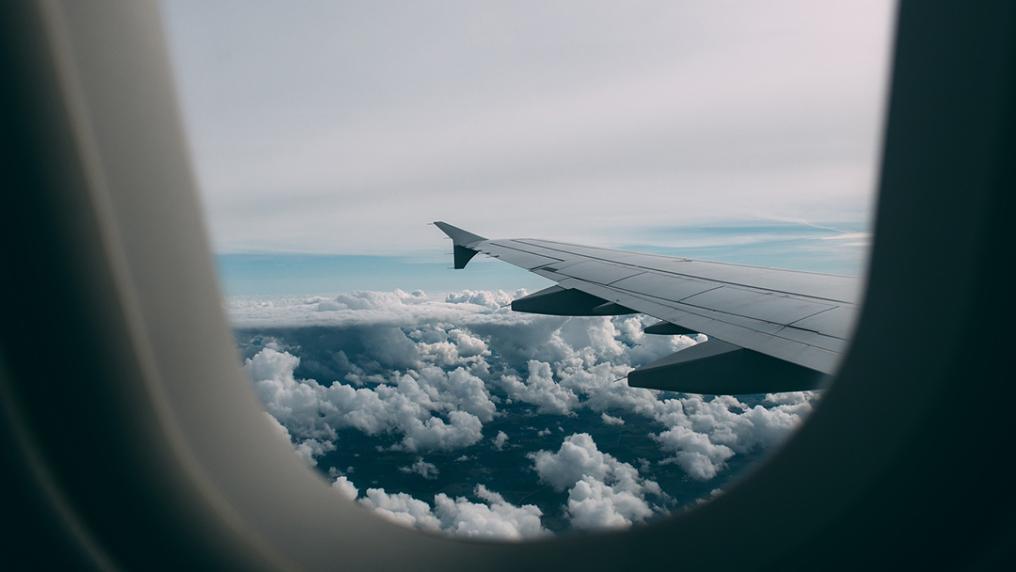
(770, 330)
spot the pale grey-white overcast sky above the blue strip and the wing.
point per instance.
(345, 128)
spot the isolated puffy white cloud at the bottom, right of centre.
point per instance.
(603, 492)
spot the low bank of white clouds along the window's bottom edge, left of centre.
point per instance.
(492, 518)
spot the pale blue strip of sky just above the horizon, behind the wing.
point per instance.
(840, 250)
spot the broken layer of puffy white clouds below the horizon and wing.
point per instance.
(431, 375)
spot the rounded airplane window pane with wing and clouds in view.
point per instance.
(711, 139)
